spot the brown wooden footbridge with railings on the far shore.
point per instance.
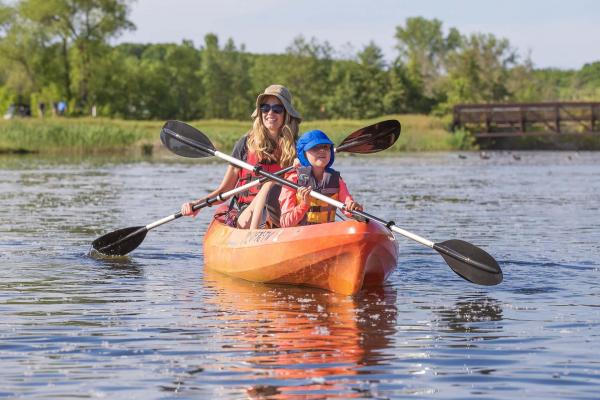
(528, 119)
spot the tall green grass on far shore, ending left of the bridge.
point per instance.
(88, 135)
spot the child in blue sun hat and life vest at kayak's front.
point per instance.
(315, 152)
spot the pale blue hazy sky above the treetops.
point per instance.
(558, 34)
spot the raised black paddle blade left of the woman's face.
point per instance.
(185, 140)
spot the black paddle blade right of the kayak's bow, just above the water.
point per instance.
(470, 262)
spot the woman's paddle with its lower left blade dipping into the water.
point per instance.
(370, 139)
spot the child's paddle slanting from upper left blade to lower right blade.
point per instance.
(465, 259)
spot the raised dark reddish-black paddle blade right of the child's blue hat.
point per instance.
(372, 138)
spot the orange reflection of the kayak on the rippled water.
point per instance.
(295, 341)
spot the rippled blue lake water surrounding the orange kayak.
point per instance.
(157, 325)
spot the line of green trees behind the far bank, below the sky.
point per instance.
(52, 50)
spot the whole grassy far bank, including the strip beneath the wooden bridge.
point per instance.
(89, 136)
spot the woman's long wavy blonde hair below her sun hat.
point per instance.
(266, 149)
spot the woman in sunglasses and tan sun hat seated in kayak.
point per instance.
(271, 143)
